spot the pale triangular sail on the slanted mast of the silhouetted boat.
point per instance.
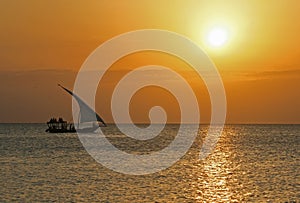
(87, 114)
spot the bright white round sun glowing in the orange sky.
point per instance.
(217, 37)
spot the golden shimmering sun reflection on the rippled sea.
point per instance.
(216, 182)
